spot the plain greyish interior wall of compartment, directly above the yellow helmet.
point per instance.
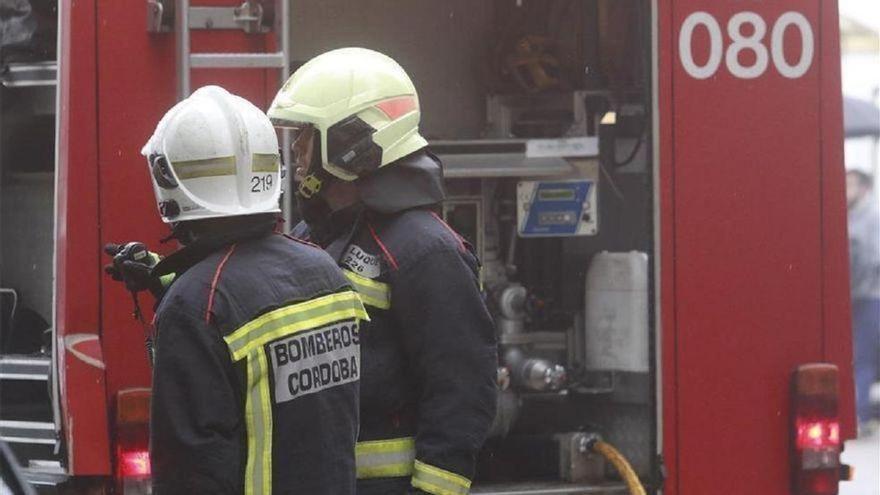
(442, 45)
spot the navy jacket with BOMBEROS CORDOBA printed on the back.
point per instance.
(257, 370)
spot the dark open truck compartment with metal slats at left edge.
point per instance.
(27, 230)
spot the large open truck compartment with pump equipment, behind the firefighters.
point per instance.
(540, 111)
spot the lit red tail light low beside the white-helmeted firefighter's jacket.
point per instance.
(132, 442)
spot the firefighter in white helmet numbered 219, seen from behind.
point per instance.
(257, 362)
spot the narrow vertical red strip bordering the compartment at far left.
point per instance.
(78, 263)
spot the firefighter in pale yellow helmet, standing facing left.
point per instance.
(367, 189)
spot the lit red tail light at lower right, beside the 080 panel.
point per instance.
(815, 430)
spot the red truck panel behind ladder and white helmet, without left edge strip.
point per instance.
(137, 85)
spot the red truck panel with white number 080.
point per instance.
(756, 240)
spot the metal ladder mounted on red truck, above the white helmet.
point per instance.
(253, 17)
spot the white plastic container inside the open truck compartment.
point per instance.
(616, 312)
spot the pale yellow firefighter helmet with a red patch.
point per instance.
(362, 104)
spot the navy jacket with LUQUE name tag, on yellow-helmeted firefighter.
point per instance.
(429, 351)
